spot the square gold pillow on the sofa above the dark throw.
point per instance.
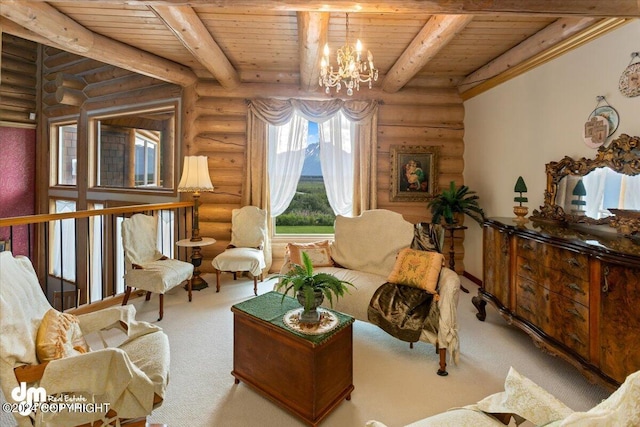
(420, 269)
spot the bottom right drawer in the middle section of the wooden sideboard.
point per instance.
(570, 323)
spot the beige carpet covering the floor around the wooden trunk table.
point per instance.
(393, 383)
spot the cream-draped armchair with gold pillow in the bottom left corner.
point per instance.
(46, 349)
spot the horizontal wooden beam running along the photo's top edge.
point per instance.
(595, 8)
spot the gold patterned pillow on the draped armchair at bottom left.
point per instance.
(59, 336)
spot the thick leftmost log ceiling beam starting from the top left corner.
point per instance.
(62, 32)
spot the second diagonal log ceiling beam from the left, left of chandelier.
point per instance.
(189, 29)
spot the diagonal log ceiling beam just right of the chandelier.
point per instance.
(435, 35)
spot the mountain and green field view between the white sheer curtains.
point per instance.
(309, 211)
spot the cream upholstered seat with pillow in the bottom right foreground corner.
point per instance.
(523, 400)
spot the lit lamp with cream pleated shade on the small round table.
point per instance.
(195, 178)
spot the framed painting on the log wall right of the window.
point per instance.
(414, 172)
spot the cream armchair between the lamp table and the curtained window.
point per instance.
(246, 249)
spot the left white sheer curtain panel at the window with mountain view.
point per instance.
(287, 148)
